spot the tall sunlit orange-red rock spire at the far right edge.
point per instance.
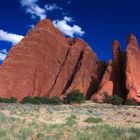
(132, 69)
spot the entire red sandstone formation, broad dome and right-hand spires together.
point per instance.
(45, 63)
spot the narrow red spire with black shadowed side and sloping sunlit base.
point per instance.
(111, 82)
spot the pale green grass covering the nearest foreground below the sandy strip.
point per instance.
(19, 129)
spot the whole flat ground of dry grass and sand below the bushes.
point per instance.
(67, 122)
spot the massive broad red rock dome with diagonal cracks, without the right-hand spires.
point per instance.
(45, 63)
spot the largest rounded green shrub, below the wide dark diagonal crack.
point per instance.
(74, 97)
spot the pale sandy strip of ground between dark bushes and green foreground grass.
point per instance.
(121, 116)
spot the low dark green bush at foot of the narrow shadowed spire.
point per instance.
(114, 100)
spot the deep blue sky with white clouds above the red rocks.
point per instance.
(96, 21)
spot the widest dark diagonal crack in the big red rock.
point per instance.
(77, 67)
